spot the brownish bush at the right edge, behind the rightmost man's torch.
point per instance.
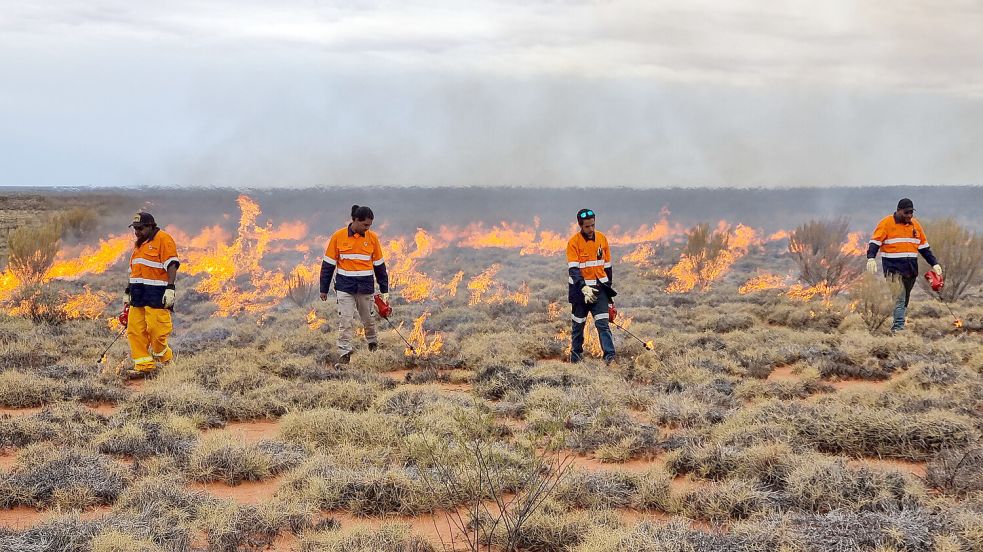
(960, 252)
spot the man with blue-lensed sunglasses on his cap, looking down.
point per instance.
(589, 275)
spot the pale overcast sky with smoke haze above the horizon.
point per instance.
(300, 93)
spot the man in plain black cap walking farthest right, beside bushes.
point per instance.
(900, 239)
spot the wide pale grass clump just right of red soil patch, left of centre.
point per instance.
(328, 427)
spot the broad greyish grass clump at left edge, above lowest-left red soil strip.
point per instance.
(48, 476)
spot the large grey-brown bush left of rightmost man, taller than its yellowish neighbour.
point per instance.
(817, 247)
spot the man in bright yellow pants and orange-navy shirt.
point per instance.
(150, 295)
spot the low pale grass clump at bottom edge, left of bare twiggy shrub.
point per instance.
(390, 537)
